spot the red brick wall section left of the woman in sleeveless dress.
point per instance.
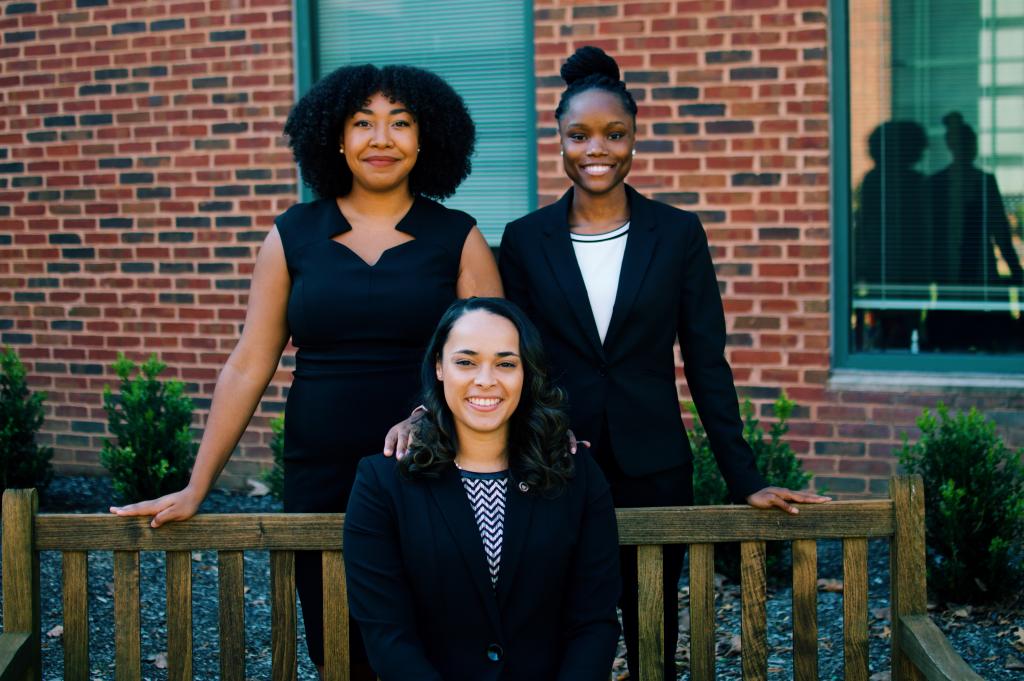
(141, 166)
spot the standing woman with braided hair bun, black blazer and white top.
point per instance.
(612, 279)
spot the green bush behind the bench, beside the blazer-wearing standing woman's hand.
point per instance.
(776, 460)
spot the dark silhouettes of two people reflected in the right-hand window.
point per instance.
(934, 263)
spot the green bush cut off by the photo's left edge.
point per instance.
(23, 463)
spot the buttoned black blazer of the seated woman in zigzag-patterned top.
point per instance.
(420, 589)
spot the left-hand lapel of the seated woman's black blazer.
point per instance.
(451, 497)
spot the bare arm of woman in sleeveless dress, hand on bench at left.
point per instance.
(240, 387)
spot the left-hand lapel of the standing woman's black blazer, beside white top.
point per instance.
(559, 250)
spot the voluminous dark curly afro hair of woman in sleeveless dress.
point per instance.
(447, 132)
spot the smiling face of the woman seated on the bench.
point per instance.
(483, 374)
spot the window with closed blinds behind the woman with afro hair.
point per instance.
(484, 50)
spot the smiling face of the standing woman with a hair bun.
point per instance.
(599, 136)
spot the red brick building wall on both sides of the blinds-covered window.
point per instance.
(143, 164)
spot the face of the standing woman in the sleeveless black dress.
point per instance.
(381, 145)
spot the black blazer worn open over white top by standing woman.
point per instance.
(667, 288)
